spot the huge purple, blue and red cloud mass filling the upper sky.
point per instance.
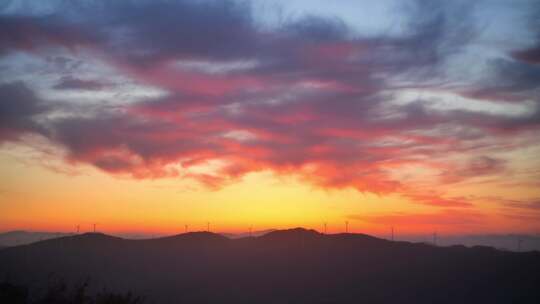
(317, 99)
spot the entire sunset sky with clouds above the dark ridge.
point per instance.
(147, 116)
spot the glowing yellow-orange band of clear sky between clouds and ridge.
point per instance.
(37, 198)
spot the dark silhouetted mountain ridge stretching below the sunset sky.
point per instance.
(292, 266)
